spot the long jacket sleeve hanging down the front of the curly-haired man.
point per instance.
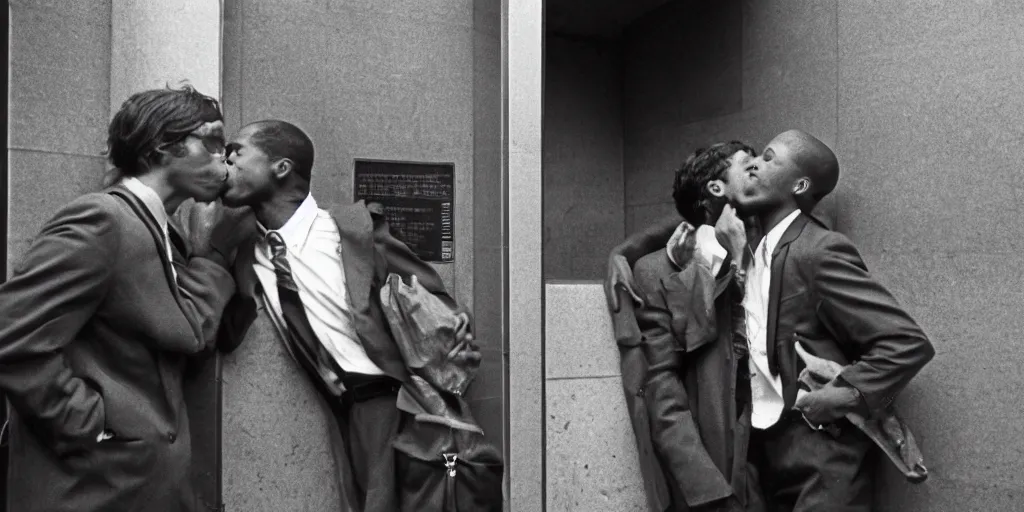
(674, 432)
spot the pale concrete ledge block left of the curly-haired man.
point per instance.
(591, 457)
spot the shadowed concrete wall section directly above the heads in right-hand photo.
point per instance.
(699, 74)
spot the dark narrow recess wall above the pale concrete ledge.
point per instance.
(583, 157)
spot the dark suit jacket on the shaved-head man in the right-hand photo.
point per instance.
(823, 295)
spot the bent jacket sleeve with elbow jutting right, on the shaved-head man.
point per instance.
(860, 311)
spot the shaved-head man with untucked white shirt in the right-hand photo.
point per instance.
(808, 285)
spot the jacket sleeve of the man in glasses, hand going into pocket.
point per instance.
(52, 296)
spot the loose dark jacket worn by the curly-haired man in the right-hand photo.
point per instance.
(698, 433)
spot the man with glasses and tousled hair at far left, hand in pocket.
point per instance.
(98, 320)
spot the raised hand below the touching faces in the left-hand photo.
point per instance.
(215, 229)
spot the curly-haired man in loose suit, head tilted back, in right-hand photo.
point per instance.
(697, 388)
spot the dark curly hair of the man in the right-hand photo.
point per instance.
(690, 190)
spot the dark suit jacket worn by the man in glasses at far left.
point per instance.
(94, 336)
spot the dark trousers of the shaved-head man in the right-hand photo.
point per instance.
(806, 471)
